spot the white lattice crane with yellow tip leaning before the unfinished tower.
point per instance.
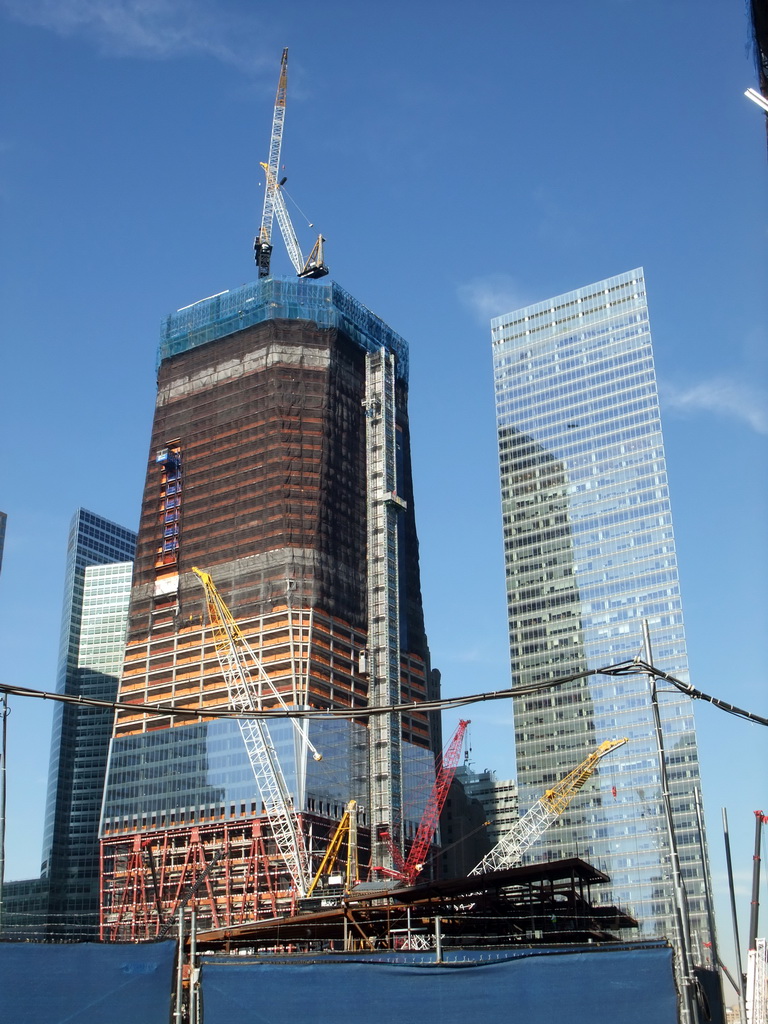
(235, 655)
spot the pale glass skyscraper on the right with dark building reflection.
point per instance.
(590, 553)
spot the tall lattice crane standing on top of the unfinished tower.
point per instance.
(275, 203)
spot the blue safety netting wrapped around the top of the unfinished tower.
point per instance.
(279, 298)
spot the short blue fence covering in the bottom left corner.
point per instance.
(87, 984)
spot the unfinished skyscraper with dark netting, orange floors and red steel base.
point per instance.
(279, 464)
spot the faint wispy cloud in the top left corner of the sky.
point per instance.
(158, 29)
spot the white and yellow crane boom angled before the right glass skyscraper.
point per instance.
(538, 819)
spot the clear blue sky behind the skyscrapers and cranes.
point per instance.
(462, 161)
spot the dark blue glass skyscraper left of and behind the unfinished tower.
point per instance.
(94, 626)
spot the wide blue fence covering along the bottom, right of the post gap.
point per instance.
(634, 986)
